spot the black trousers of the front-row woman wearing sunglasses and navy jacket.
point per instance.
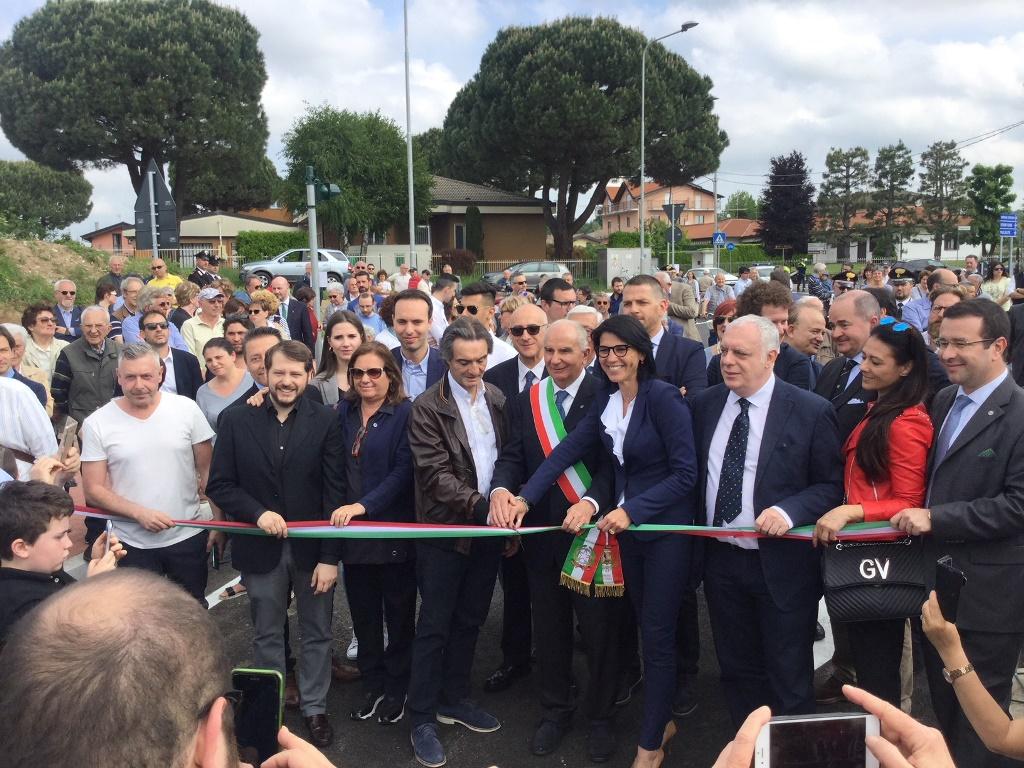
(377, 594)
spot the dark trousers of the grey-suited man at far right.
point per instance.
(995, 658)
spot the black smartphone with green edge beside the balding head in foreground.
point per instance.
(259, 715)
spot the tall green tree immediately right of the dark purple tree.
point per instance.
(843, 193)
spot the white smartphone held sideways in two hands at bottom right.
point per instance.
(817, 742)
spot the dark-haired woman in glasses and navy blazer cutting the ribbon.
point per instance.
(645, 425)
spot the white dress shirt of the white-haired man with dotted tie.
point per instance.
(758, 415)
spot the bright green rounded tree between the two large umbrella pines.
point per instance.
(365, 155)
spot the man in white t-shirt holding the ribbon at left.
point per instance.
(146, 459)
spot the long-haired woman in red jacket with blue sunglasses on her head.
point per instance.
(886, 473)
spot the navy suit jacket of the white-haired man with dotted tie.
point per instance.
(800, 471)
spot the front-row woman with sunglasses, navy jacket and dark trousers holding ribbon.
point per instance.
(379, 574)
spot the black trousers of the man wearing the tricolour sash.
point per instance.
(554, 607)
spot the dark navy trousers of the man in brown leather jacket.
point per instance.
(455, 598)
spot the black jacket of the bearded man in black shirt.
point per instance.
(310, 487)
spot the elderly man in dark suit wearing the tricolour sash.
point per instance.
(565, 352)
